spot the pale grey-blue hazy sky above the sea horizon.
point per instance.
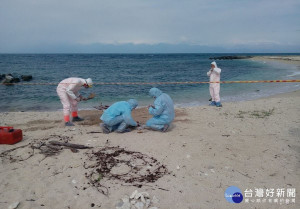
(120, 26)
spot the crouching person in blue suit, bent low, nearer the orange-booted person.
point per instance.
(118, 117)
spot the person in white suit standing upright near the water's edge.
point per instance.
(214, 88)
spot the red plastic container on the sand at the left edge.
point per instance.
(9, 135)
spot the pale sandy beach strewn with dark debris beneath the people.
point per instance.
(250, 145)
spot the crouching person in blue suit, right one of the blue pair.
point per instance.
(162, 111)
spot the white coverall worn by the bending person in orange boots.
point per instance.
(68, 92)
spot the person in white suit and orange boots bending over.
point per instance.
(68, 92)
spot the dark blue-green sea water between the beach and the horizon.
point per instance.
(52, 68)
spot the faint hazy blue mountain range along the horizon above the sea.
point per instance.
(155, 48)
